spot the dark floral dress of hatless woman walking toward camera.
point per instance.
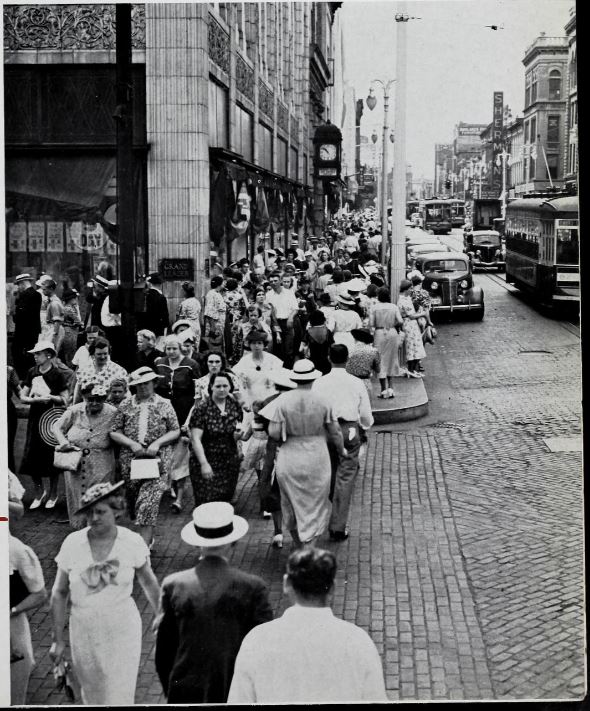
(221, 450)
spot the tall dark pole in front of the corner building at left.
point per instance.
(125, 194)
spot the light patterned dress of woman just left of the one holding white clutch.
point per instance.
(91, 435)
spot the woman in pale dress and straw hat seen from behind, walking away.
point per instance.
(301, 421)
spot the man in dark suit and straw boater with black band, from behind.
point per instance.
(206, 611)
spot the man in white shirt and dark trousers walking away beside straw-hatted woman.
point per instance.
(349, 400)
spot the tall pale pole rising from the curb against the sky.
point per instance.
(398, 243)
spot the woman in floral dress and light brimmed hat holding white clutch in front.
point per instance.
(145, 426)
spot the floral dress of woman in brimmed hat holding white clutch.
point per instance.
(143, 497)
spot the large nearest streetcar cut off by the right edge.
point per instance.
(542, 247)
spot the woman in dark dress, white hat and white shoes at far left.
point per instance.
(44, 387)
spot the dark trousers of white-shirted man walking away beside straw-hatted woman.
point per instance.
(344, 473)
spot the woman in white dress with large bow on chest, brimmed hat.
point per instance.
(96, 568)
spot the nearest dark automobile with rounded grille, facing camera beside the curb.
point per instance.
(448, 279)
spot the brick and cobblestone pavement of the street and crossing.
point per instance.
(464, 561)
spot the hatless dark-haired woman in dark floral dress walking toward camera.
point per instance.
(215, 462)
